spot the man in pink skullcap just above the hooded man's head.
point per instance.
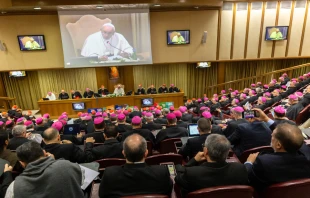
(20, 137)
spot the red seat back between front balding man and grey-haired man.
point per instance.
(164, 158)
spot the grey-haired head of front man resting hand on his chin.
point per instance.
(218, 147)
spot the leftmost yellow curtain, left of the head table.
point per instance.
(26, 90)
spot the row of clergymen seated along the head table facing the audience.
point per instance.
(102, 91)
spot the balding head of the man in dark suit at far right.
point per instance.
(289, 136)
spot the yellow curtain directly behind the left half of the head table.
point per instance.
(67, 79)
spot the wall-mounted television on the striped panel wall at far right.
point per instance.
(276, 33)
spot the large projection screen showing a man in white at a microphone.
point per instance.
(110, 38)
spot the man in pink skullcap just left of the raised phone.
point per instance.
(237, 119)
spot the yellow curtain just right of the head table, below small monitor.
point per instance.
(201, 78)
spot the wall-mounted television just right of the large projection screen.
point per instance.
(178, 37)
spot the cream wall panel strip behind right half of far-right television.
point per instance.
(284, 20)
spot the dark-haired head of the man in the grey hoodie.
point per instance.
(29, 152)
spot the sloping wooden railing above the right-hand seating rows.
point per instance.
(259, 78)
